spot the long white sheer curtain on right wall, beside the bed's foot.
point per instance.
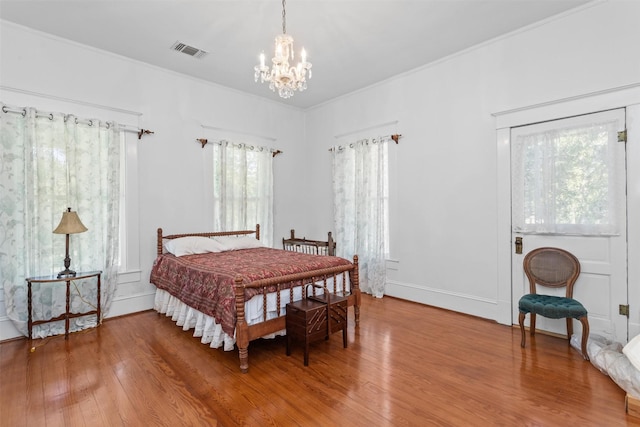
(361, 195)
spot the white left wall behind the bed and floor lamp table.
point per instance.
(171, 165)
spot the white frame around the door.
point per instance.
(624, 97)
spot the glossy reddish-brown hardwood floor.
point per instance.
(407, 364)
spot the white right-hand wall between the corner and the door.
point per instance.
(444, 223)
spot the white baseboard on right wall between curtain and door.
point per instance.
(463, 303)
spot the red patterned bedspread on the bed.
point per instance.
(206, 281)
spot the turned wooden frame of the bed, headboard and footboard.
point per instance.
(246, 333)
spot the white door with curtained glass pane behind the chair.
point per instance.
(569, 191)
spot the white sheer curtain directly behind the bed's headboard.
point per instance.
(243, 188)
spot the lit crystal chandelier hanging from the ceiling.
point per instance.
(283, 77)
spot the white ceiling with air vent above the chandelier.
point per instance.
(351, 44)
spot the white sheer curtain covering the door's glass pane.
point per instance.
(566, 176)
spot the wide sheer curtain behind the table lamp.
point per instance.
(52, 161)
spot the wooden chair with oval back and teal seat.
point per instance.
(552, 268)
